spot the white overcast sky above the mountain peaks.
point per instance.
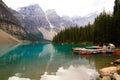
(66, 7)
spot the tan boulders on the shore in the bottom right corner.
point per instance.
(111, 72)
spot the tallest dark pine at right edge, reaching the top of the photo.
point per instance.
(116, 23)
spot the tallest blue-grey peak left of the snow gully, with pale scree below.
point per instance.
(33, 18)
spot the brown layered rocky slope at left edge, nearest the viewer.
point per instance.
(9, 24)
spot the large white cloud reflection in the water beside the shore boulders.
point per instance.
(72, 73)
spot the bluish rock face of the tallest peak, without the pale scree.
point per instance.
(32, 18)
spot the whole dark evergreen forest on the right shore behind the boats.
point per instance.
(106, 28)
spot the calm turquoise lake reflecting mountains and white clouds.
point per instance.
(46, 61)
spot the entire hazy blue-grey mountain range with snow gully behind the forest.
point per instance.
(44, 24)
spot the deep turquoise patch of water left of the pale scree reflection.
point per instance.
(20, 52)
